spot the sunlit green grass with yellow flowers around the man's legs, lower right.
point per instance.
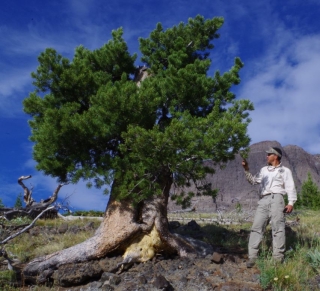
(298, 271)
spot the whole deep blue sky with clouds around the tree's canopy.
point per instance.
(278, 41)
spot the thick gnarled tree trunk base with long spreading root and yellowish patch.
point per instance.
(135, 233)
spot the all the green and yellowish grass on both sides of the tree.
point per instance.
(298, 272)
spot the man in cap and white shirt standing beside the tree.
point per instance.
(275, 181)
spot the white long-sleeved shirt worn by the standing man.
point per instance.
(274, 180)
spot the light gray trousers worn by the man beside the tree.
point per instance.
(270, 207)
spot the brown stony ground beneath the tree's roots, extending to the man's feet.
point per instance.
(218, 269)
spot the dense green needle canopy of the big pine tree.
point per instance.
(91, 121)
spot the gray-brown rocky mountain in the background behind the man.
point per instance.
(233, 187)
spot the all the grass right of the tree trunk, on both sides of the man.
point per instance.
(302, 263)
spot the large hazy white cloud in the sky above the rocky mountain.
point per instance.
(286, 94)
